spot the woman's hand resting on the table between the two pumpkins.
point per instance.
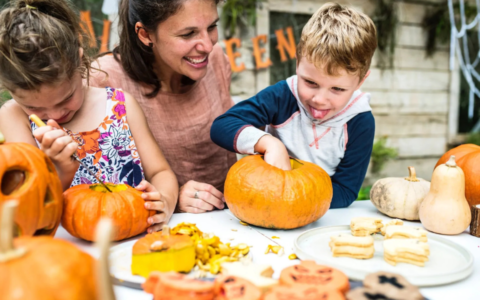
(196, 197)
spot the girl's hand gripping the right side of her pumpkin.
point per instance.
(153, 201)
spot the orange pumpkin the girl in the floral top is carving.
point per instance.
(86, 204)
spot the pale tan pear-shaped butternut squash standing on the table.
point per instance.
(445, 209)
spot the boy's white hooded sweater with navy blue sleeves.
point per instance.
(341, 145)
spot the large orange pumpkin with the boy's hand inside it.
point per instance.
(266, 196)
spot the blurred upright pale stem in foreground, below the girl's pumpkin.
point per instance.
(103, 237)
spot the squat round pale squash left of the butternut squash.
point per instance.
(400, 197)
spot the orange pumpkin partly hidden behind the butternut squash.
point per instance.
(467, 158)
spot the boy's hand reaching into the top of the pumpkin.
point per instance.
(274, 152)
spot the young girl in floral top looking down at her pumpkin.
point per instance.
(43, 65)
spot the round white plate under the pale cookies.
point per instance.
(448, 262)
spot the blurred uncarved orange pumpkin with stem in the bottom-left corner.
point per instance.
(42, 267)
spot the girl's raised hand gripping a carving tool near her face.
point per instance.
(57, 145)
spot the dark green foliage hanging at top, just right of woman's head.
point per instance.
(235, 12)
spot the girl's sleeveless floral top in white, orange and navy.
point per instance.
(109, 150)
